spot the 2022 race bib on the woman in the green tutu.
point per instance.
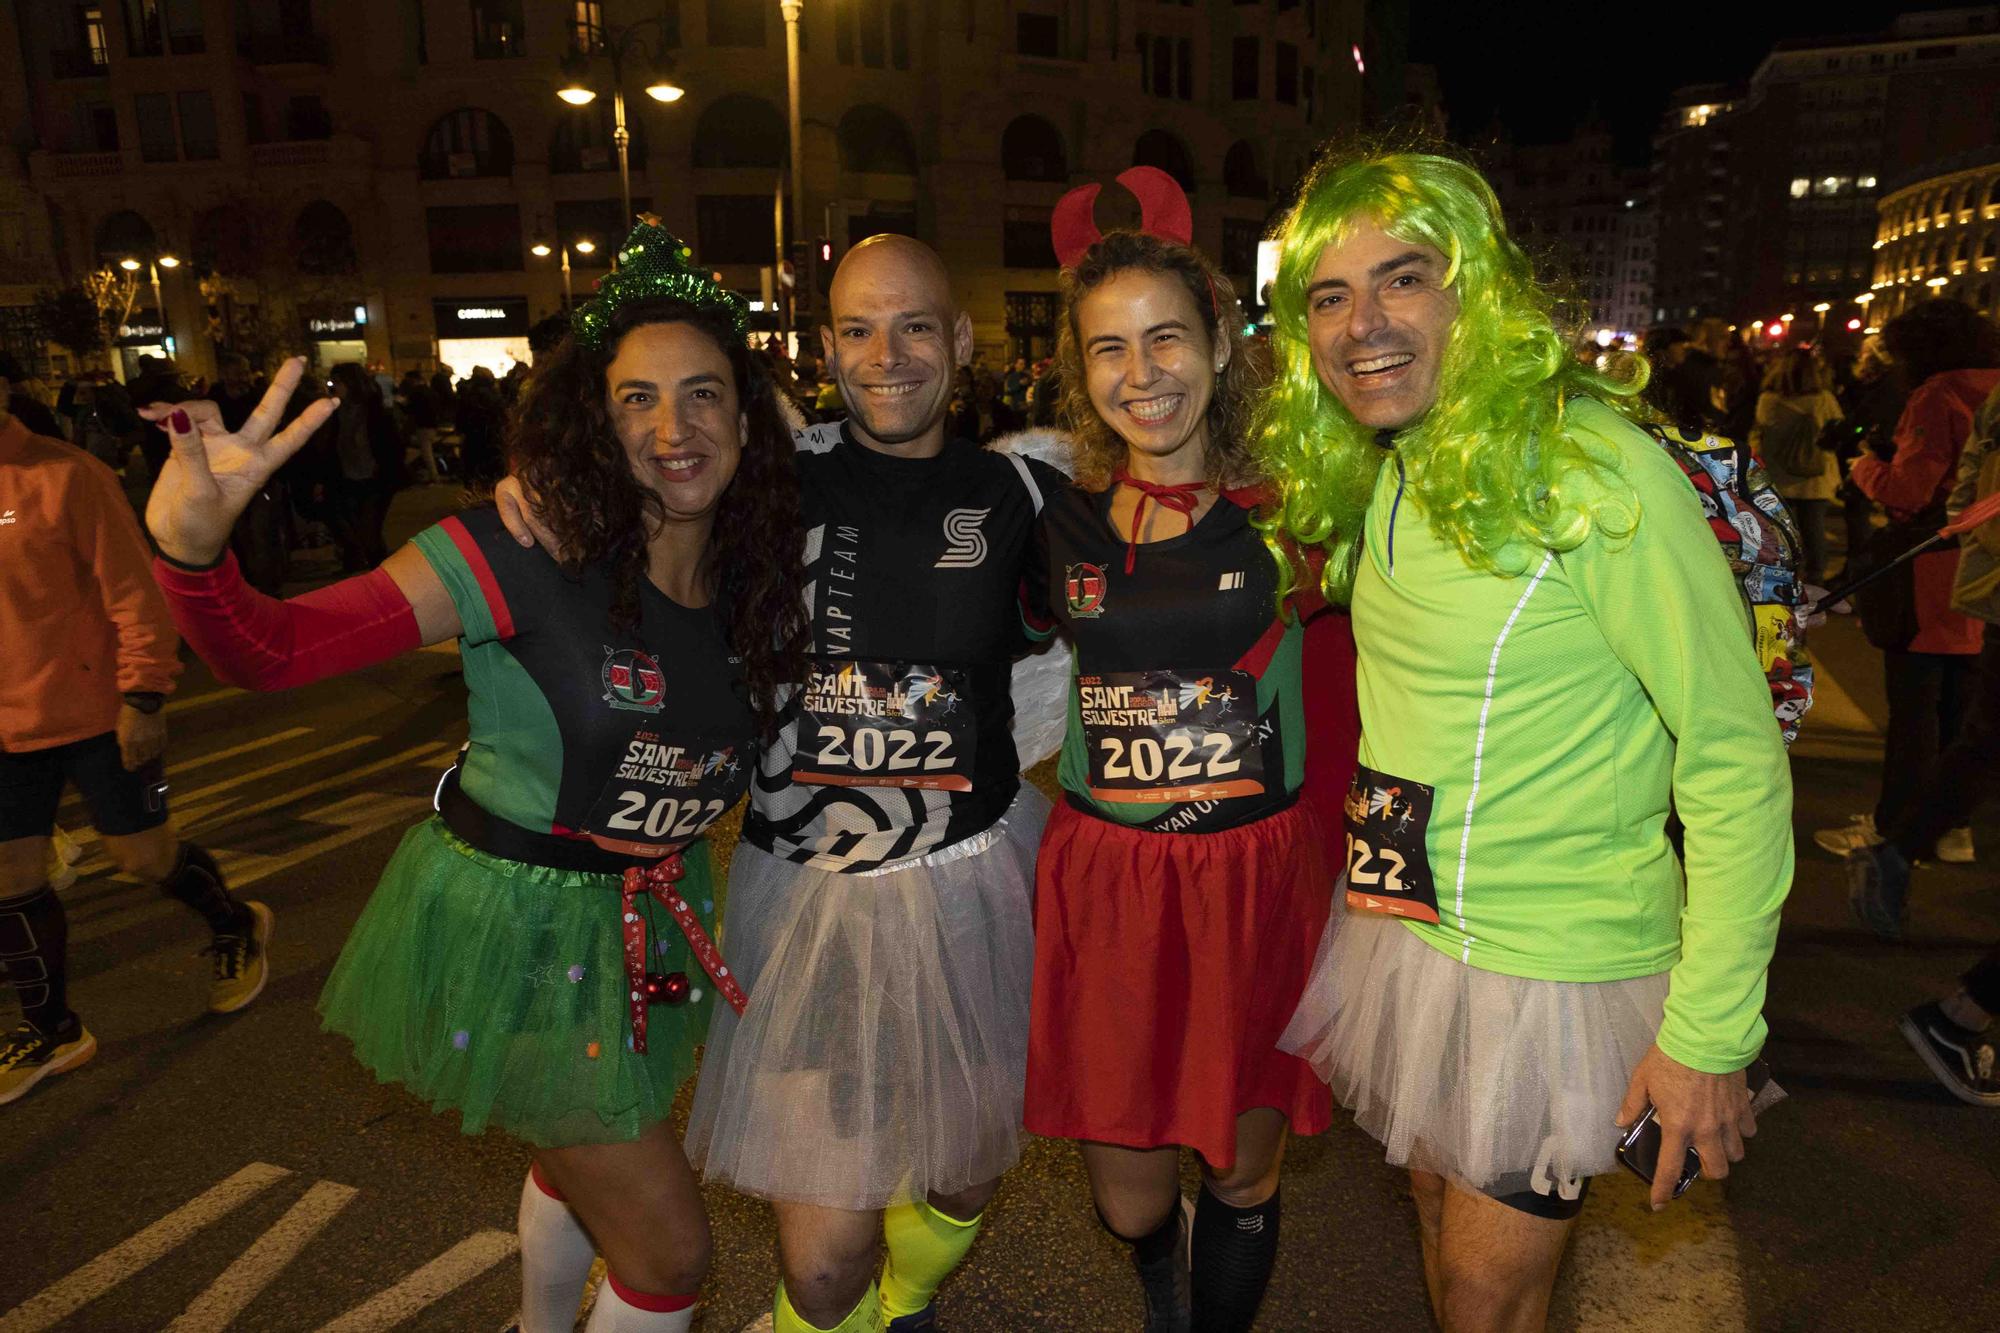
(665, 794)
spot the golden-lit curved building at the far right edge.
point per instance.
(1939, 237)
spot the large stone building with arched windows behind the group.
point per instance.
(397, 179)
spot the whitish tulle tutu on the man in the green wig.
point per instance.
(1503, 1084)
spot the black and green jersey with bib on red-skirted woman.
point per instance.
(1185, 714)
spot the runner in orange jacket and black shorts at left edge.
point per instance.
(91, 657)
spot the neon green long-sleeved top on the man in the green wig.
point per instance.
(1559, 716)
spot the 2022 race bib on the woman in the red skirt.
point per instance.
(1171, 738)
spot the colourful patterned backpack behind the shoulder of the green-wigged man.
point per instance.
(1761, 539)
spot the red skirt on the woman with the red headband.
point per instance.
(1165, 970)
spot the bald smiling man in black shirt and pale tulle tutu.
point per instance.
(881, 902)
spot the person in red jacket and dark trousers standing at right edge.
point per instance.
(1951, 359)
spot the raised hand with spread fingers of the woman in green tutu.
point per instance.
(215, 471)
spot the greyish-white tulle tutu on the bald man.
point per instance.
(887, 1038)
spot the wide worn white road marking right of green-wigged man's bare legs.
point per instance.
(1637, 1270)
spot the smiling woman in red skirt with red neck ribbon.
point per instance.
(1183, 884)
